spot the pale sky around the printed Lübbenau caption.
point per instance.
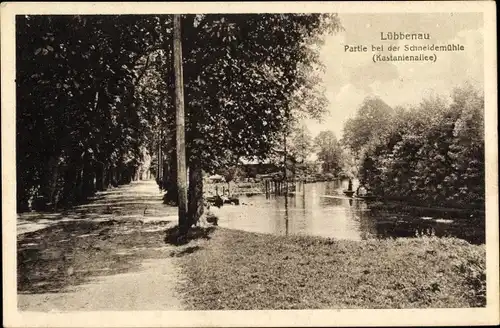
(350, 77)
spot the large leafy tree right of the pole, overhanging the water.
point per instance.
(244, 79)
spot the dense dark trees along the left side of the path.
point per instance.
(77, 115)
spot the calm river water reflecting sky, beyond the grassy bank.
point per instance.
(320, 209)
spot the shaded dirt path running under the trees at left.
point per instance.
(109, 254)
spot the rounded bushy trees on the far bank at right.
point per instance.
(431, 154)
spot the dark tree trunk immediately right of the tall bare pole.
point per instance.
(195, 192)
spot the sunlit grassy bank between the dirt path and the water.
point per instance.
(241, 270)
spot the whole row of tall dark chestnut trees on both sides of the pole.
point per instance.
(95, 96)
